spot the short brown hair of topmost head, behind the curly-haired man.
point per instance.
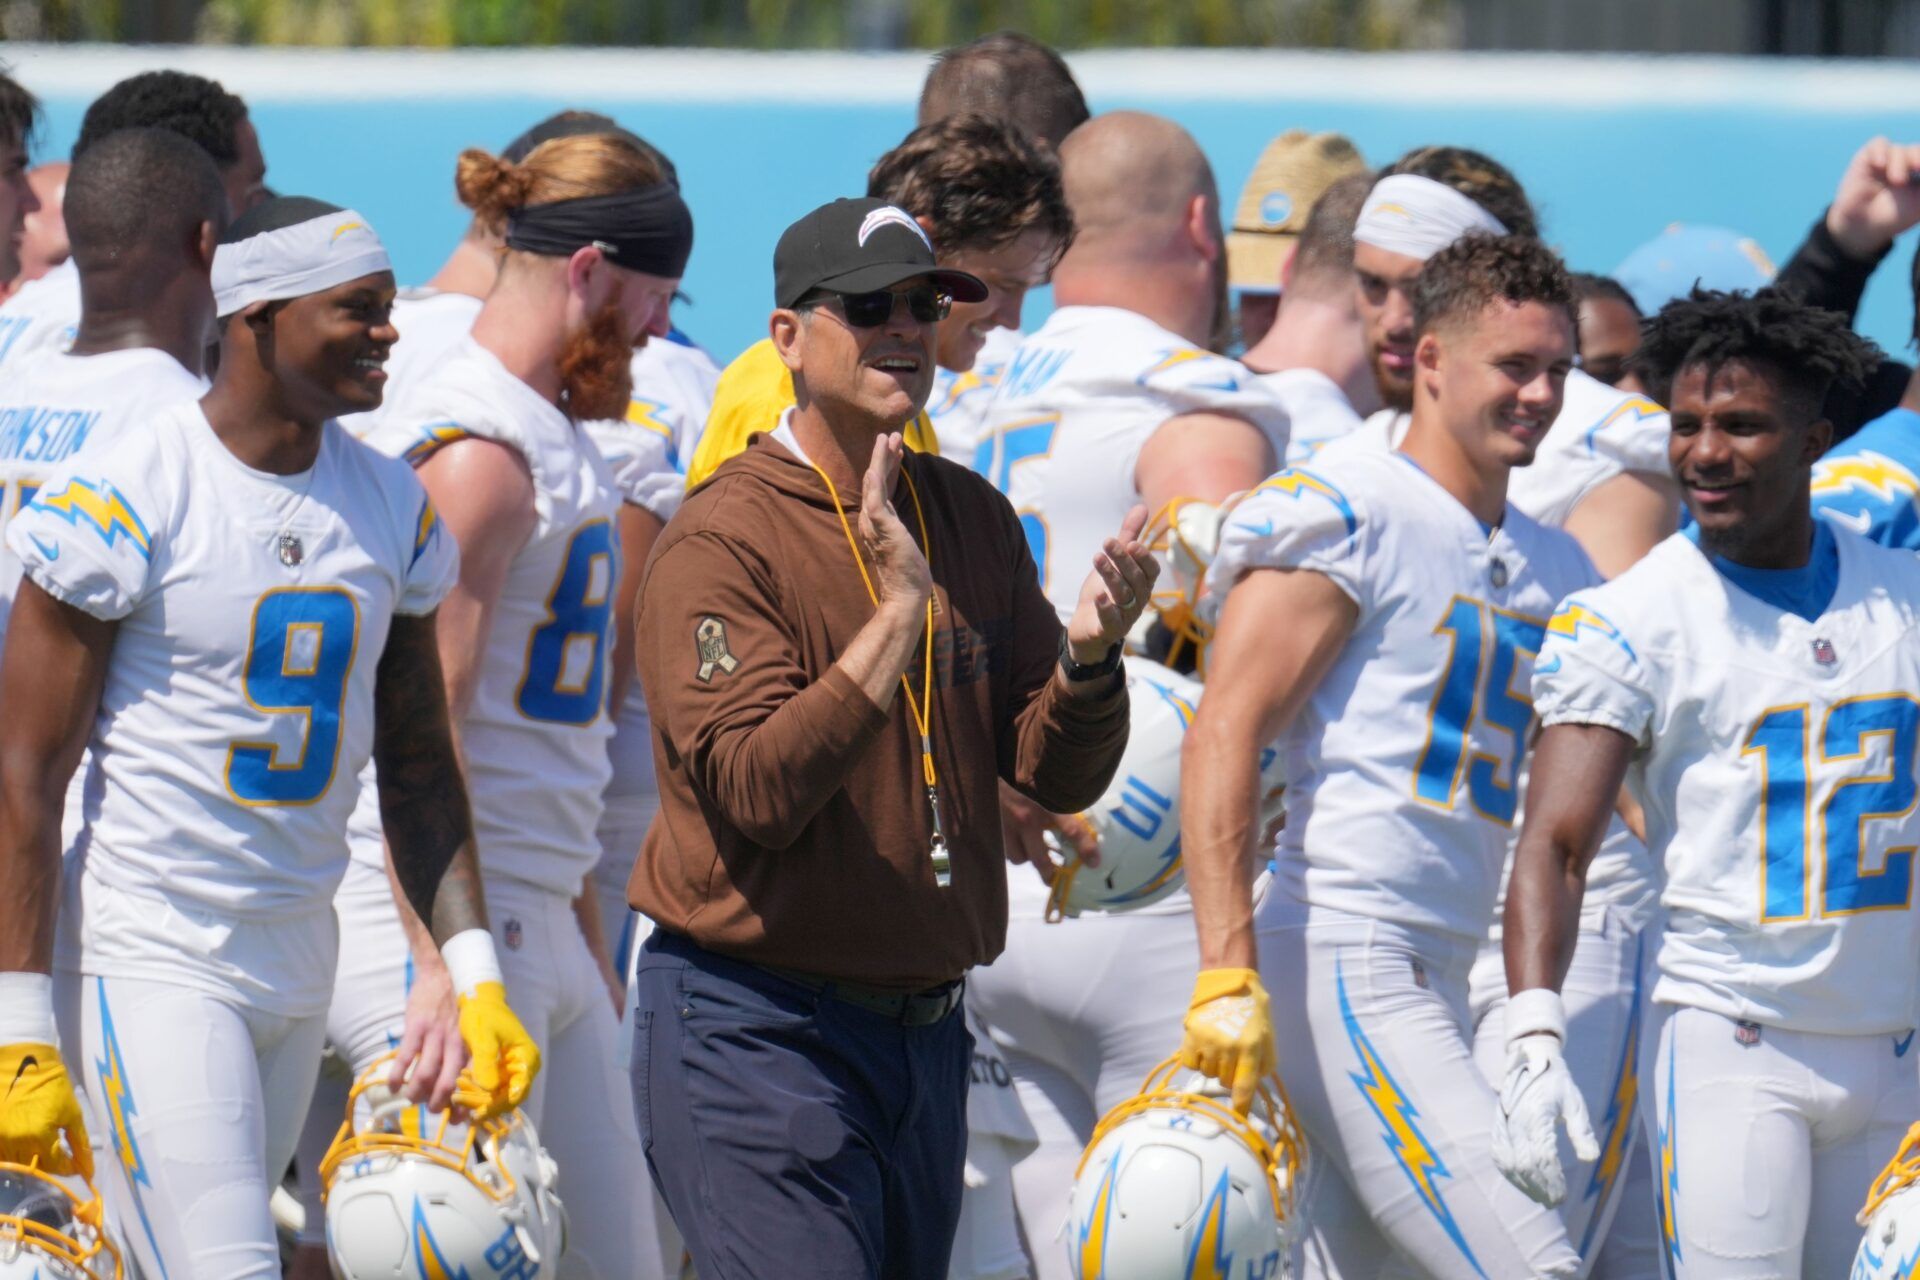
(1007, 76)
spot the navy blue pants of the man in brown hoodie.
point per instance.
(792, 1133)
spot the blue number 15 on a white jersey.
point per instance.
(1479, 684)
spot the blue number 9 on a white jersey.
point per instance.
(299, 659)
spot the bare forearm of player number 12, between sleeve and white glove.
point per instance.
(1570, 801)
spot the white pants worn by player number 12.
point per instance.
(1764, 1141)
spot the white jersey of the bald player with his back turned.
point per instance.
(1072, 414)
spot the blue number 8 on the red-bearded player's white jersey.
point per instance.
(565, 659)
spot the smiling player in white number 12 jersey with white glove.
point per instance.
(1754, 682)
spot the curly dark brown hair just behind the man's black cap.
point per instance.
(978, 181)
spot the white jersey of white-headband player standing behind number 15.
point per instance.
(1600, 435)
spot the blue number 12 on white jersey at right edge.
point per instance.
(1779, 738)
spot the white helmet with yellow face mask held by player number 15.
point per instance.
(1176, 1185)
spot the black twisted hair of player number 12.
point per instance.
(1808, 350)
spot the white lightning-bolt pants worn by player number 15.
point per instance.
(1376, 1049)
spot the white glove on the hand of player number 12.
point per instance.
(1537, 1097)
